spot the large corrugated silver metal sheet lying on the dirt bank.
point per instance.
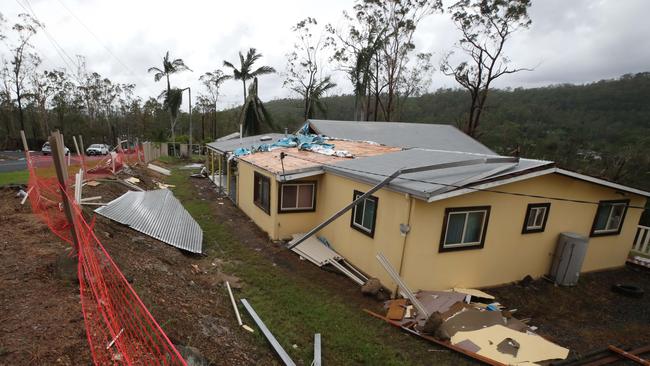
(158, 214)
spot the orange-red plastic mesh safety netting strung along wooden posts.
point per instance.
(119, 328)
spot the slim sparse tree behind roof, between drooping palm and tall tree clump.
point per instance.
(304, 68)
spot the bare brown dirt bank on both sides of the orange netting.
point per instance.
(40, 315)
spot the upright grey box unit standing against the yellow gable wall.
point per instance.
(567, 261)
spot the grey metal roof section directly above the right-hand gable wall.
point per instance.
(374, 169)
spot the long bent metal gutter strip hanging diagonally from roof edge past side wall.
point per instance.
(396, 174)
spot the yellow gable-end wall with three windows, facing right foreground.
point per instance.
(509, 255)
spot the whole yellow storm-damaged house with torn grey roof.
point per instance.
(469, 225)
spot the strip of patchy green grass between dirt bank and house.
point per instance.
(294, 309)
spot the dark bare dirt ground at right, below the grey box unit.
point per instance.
(589, 316)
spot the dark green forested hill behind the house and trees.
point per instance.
(601, 128)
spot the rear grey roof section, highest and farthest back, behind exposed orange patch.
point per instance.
(401, 134)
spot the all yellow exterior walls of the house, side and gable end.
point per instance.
(507, 255)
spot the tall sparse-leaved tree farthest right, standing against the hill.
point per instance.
(486, 26)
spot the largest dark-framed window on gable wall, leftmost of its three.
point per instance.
(464, 228)
